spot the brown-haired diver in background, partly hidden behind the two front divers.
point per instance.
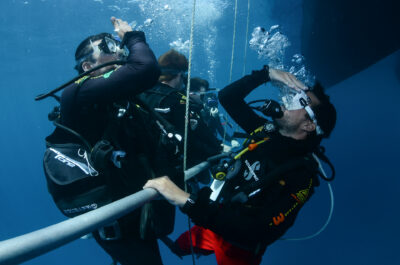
(168, 98)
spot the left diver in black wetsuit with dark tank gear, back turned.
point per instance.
(102, 148)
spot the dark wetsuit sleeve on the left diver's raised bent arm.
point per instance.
(138, 74)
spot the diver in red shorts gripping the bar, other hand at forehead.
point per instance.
(267, 182)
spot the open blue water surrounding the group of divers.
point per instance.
(38, 40)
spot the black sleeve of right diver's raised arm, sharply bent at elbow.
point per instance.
(232, 99)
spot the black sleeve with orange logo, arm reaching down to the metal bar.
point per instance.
(247, 224)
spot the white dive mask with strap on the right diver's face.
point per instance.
(300, 100)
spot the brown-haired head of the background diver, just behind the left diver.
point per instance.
(174, 66)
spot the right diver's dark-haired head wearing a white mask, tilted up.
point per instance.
(307, 114)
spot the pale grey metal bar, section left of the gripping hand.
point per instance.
(34, 244)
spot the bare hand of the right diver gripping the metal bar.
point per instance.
(168, 190)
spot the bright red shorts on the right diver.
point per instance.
(206, 242)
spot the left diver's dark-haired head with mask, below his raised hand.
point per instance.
(96, 50)
